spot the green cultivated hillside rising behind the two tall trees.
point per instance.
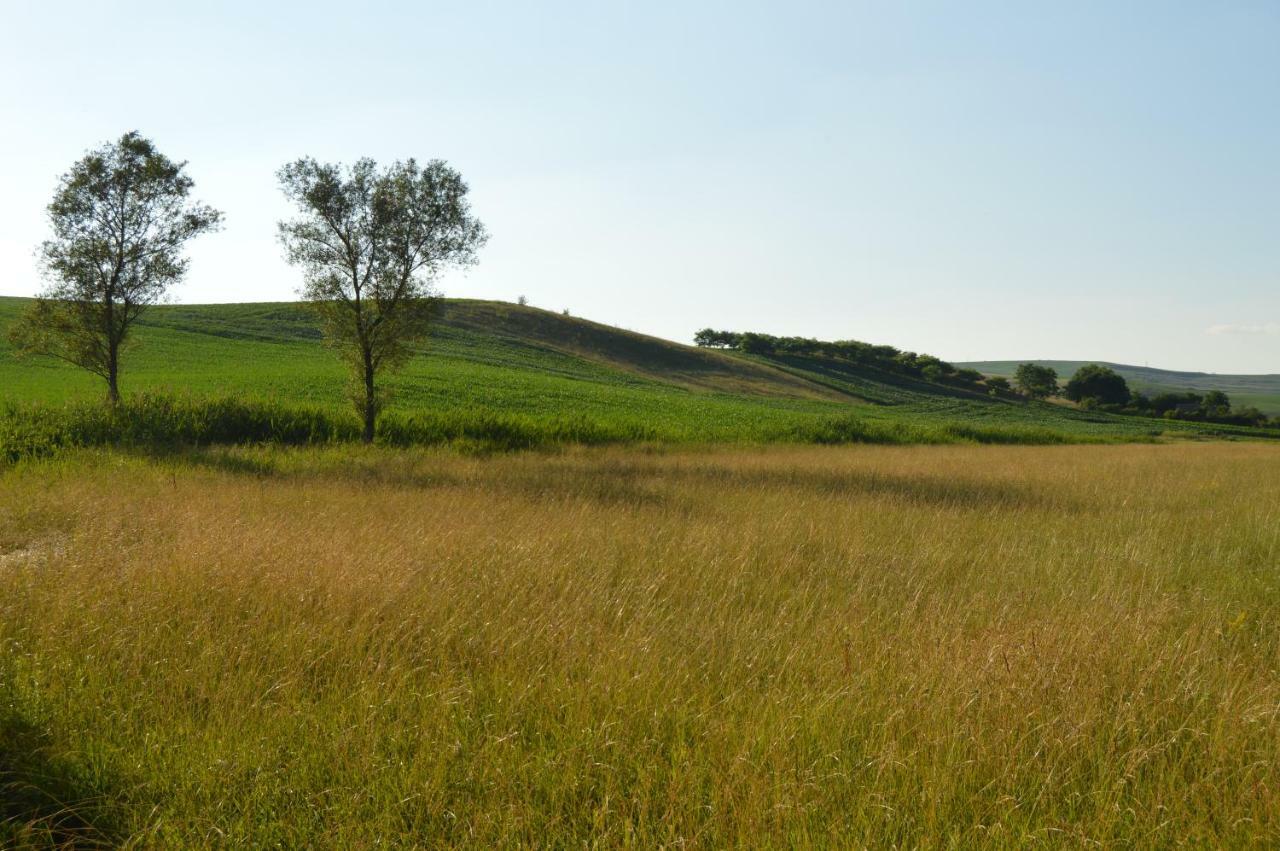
(505, 359)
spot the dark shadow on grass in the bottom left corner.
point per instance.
(45, 802)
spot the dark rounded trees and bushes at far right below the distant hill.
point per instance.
(1100, 387)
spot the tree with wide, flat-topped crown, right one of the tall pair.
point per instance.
(371, 244)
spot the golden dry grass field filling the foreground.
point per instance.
(930, 647)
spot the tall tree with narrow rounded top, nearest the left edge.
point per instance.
(121, 219)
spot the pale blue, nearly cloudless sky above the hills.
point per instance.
(977, 181)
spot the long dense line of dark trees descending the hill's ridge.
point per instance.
(883, 358)
